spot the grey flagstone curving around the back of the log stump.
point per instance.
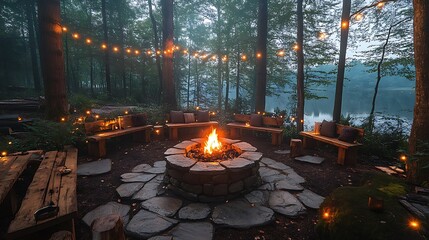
(107, 209)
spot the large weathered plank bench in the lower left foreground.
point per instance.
(49, 185)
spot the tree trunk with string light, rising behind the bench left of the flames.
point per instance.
(168, 84)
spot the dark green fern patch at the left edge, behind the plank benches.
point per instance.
(45, 135)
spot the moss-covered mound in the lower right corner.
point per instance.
(350, 218)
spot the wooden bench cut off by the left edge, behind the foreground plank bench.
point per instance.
(11, 167)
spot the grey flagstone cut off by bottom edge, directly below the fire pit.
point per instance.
(193, 231)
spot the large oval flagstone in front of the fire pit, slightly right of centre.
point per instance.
(240, 214)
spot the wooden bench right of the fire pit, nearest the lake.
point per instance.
(347, 152)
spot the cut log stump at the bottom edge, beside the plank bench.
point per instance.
(109, 227)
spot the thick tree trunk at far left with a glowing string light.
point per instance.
(52, 59)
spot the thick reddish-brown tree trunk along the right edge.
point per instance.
(420, 127)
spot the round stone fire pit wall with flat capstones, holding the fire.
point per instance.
(209, 181)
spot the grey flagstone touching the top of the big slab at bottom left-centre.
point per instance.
(165, 206)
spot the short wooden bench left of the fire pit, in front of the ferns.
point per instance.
(97, 142)
